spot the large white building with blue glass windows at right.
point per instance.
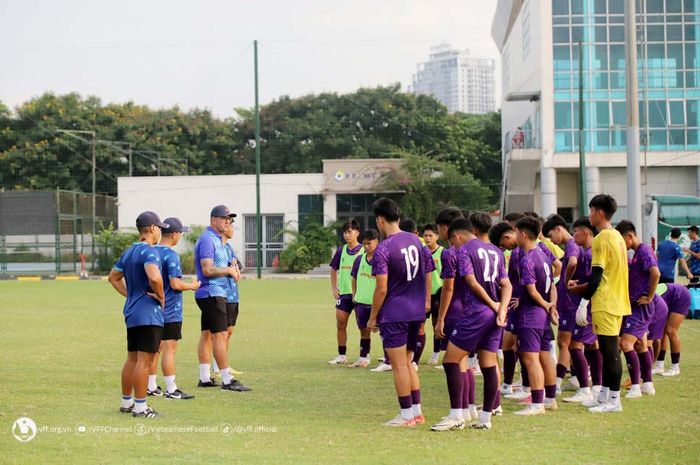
(538, 41)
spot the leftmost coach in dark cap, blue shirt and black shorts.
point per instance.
(137, 276)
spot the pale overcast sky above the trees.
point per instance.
(200, 53)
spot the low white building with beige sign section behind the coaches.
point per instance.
(346, 188)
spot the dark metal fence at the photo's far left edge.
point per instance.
(51, 231)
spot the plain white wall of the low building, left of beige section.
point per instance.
(191, 198)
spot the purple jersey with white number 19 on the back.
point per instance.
(405, 262)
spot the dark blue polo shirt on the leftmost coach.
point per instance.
(140, 309)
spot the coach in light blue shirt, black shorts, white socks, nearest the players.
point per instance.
(211, 262)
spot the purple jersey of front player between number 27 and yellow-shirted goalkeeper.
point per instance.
(535, 268)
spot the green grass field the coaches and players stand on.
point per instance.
(62, 345)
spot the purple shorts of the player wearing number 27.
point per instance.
(477, 331)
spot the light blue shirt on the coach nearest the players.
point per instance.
(209, 245)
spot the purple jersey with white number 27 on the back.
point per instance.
(486, 263)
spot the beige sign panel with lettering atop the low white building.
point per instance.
(359, 175)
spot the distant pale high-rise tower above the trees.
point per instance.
(461, 82)
